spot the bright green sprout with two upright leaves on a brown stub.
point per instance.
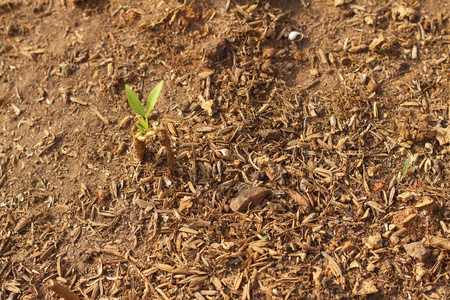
(143, 129)
